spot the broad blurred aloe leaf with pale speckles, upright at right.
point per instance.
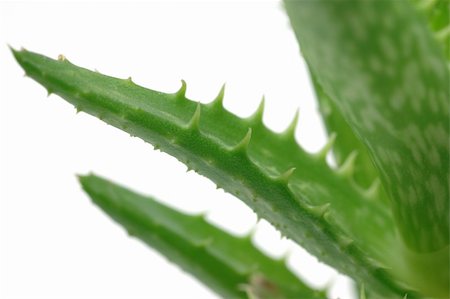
(382, 69)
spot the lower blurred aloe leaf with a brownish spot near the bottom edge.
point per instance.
(229, 265)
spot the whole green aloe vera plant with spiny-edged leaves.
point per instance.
(381, 216)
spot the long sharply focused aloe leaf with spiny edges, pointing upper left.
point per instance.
(314, 205)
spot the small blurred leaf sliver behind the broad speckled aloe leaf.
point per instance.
(346, 142)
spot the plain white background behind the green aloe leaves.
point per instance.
(54, 242)
